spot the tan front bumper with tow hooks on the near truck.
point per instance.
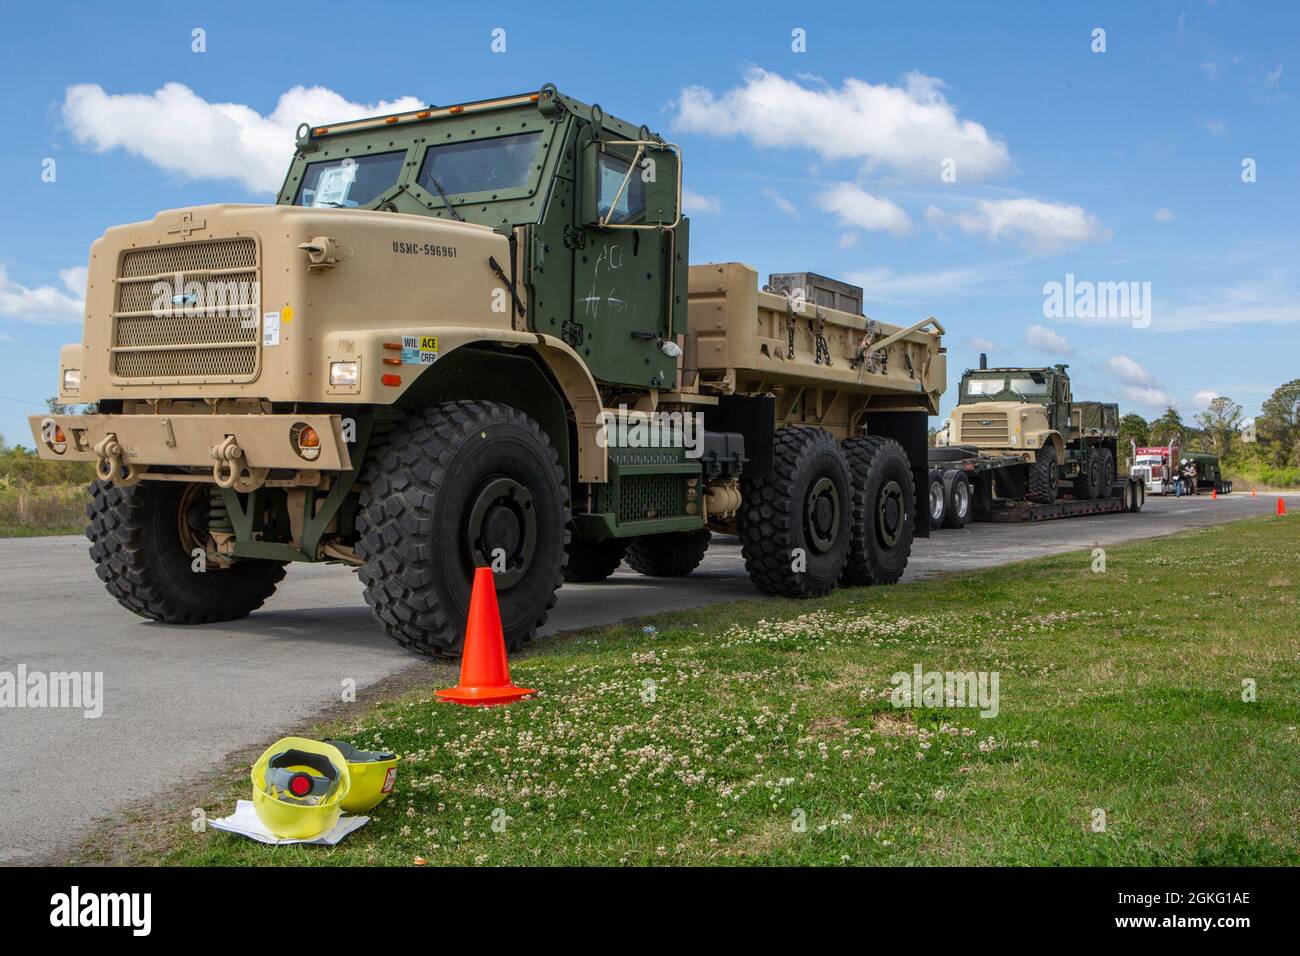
(190, 442)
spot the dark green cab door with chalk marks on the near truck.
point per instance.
(621, 283)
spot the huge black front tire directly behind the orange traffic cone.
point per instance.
(448, 490)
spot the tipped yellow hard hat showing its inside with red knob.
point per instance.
(300, 788)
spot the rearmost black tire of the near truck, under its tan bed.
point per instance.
(883, 512)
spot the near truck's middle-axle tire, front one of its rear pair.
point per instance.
(795, 524)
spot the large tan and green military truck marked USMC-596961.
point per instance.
(469, 336)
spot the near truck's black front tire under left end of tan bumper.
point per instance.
(142, 540)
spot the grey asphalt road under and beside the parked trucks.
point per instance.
(179, 700)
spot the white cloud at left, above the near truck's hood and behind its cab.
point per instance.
(177, 131)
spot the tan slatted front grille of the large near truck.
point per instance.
(215, 339)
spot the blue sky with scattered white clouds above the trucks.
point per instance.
(1124, 166)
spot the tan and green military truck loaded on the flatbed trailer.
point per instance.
(1030, 414)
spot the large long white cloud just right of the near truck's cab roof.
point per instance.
(909, 128)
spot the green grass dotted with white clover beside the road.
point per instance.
(1120, 691)
